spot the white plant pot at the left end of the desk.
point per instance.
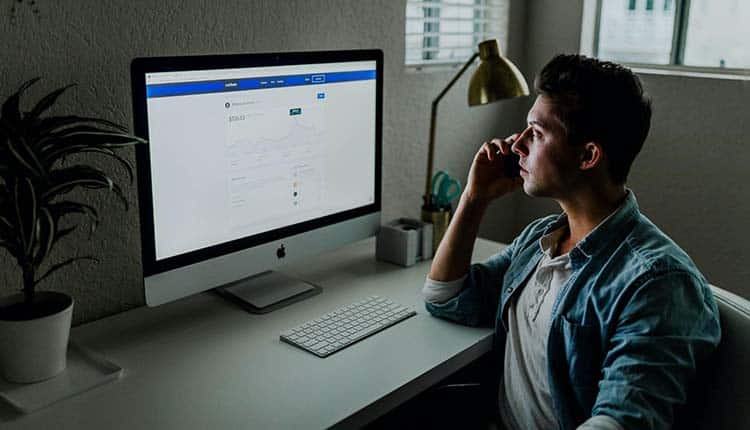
(35, 349)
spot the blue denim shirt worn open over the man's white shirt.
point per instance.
(627, 330)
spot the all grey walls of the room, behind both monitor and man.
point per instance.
(690, 179)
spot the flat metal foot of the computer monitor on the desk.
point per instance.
(267, 291)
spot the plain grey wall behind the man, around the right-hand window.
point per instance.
(692, 177)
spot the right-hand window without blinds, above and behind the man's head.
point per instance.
(698, 33)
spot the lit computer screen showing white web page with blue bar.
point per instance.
(239, 152)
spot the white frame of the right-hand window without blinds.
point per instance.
(591, 25)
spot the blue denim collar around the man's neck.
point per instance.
(609, 229)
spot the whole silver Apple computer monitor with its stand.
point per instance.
(254, 161)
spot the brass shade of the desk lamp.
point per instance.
(496, 78)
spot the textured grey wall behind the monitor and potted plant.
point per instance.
(93, 45)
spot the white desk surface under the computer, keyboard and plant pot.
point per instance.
(204, 363)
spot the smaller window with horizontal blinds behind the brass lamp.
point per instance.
(448, 31)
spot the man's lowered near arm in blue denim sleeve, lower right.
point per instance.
(668, 326)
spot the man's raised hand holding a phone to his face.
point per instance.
(487, 180)
